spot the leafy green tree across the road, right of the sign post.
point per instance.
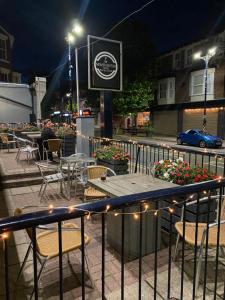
(136, 97)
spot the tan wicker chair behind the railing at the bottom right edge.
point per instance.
(190, 229)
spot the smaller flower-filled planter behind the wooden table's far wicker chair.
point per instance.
(114, 158)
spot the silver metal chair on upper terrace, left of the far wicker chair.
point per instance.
(30, 149)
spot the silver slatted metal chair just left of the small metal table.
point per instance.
(58, 176)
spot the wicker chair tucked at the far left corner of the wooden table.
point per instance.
(93, 172)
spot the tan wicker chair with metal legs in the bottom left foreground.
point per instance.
(47, 244)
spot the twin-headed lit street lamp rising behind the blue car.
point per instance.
(211, 52)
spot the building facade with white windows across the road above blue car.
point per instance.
(181, 89)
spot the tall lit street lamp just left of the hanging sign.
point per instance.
(77, 31)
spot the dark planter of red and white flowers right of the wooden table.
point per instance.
(180, 172)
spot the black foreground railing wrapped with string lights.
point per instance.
(147, 204)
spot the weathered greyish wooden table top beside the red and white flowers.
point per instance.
(123, 185)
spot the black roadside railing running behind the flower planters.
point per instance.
(143, 155)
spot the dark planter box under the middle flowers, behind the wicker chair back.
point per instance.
(120, 167)
